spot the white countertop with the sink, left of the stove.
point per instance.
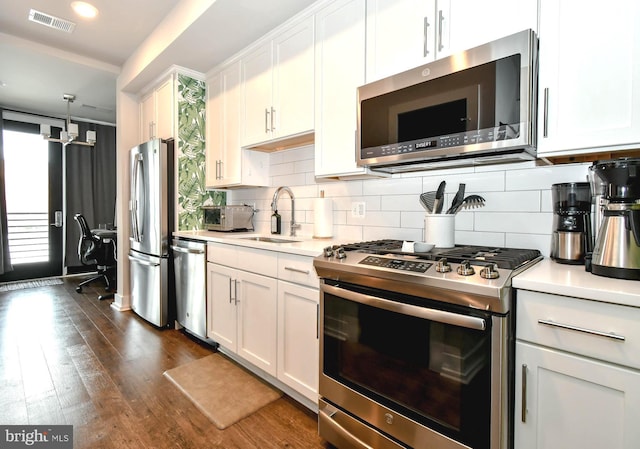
(304, 245)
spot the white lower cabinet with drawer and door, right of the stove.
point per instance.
(577, 378)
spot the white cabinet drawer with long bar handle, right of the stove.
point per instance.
(600, 330)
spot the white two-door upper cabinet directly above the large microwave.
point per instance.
(402, 34)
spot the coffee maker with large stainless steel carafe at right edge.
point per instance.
(617, 249)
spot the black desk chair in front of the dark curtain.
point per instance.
(98, 251)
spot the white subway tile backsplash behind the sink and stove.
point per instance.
(518, 210)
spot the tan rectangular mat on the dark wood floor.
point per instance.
(222, 390)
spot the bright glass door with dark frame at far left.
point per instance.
(33, 183)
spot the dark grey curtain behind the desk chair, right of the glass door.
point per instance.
(90, 185)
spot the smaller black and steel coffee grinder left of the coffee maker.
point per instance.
(572, 237)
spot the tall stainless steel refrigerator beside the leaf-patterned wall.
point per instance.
(151, 208)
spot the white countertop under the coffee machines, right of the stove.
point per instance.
(548, 276)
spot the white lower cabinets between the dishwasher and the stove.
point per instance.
(269, 320)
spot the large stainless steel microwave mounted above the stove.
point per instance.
(473, 107)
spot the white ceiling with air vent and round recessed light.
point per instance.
(39, 64)
